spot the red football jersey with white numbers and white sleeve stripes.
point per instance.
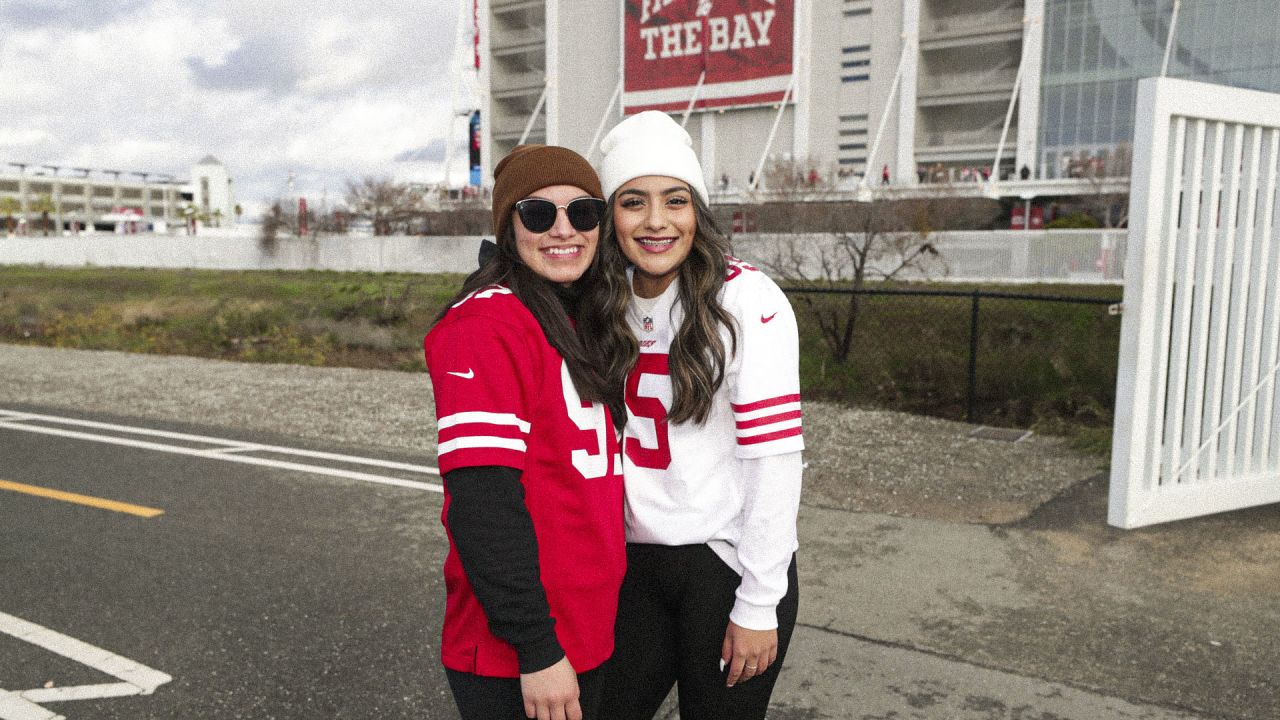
(504, 397)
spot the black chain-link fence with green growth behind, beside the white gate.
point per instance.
(977, 356)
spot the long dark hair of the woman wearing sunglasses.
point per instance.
(551, 306)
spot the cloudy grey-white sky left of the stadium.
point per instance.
(331, 92)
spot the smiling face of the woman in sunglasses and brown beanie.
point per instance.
(564, 253)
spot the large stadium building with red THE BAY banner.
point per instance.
(911, 92)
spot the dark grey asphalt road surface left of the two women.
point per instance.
(264, 594)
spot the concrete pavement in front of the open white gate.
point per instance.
(1058, 618)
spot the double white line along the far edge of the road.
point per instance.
(230, 452)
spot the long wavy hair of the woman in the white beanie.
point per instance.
(698, 357)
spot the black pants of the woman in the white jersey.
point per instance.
(673, 614)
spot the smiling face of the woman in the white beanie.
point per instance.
(656, 224)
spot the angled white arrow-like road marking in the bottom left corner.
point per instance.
(21, 705)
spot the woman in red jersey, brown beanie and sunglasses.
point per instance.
(529, 455)
